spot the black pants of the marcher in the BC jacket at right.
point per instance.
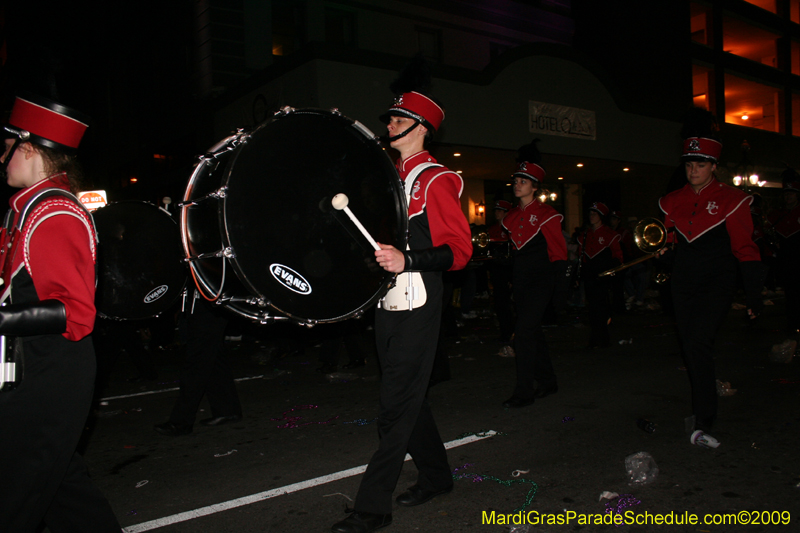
(701, 304)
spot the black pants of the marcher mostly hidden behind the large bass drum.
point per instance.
(205, 370)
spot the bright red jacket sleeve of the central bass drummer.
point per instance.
(447, 222)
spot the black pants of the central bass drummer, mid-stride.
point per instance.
(406, 342)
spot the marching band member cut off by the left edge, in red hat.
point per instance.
(48, 273)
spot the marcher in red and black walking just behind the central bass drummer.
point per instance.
(540, 258)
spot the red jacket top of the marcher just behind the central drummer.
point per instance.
(535, 229)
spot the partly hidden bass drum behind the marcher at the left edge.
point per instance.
(140, 270)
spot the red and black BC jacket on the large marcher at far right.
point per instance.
(714, 230)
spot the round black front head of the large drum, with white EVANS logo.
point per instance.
(290, 247)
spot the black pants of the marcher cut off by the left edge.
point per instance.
(44, 479)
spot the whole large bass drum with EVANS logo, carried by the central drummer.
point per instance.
(259, 231)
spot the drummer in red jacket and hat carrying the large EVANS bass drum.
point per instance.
(439, 240)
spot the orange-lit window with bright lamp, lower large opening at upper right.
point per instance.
(758, 102)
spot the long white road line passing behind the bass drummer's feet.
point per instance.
(288, 489)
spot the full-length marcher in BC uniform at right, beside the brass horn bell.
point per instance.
(713, 229)
